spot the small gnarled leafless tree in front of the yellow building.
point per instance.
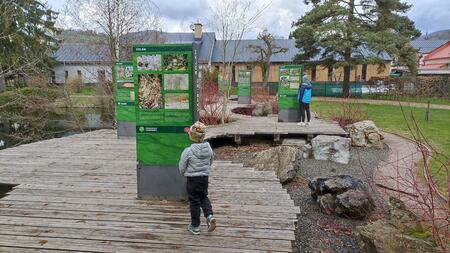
(265, 52)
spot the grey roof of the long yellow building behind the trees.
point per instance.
(246, 54)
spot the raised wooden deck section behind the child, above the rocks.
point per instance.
(269, 126)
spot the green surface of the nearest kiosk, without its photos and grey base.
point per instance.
(160, 133)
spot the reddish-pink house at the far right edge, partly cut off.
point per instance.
(437, 61)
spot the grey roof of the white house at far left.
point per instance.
(82, 53)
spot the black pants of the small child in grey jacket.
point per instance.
(197, 188)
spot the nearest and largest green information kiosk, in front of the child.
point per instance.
(165, 105)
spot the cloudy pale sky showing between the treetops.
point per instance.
(428, 15)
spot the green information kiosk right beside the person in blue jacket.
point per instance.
(290, 78)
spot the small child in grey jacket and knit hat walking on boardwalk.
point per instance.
(195, 164)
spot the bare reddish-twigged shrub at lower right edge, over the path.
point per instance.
(422, 195)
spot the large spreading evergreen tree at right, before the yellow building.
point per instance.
(334, 30)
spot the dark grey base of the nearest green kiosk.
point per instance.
(160, 182)
